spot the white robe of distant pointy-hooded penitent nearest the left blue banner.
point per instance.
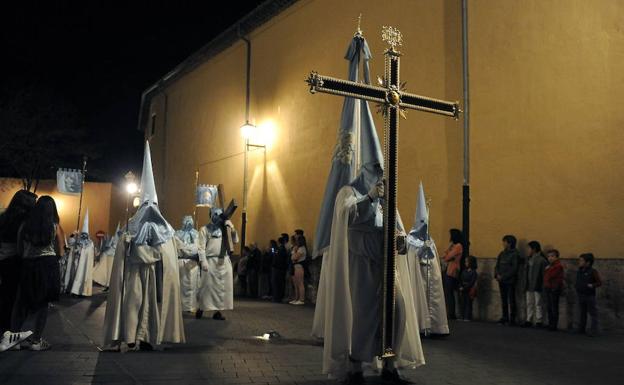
(78, 277)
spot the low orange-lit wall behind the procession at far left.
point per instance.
(97, 197)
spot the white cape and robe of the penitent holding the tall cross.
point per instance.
(346, 314)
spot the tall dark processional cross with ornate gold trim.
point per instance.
(393, 100)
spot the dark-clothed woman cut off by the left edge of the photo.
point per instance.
(10, 221)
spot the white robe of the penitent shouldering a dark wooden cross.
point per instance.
(216, 286)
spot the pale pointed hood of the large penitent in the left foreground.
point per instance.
(148, 226)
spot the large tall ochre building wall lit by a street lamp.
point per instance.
(545, 132)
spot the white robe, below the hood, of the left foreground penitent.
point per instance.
(133, 313)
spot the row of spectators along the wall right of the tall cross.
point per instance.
(542, 276)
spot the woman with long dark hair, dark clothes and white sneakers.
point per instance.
(39, 241)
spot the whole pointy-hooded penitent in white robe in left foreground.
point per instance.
(144, 301)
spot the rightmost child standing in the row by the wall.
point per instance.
(587, 280)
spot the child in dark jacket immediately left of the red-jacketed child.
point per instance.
(536, 263)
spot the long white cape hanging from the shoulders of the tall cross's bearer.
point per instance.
(333, 317)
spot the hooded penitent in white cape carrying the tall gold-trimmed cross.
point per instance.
(346, 315)
